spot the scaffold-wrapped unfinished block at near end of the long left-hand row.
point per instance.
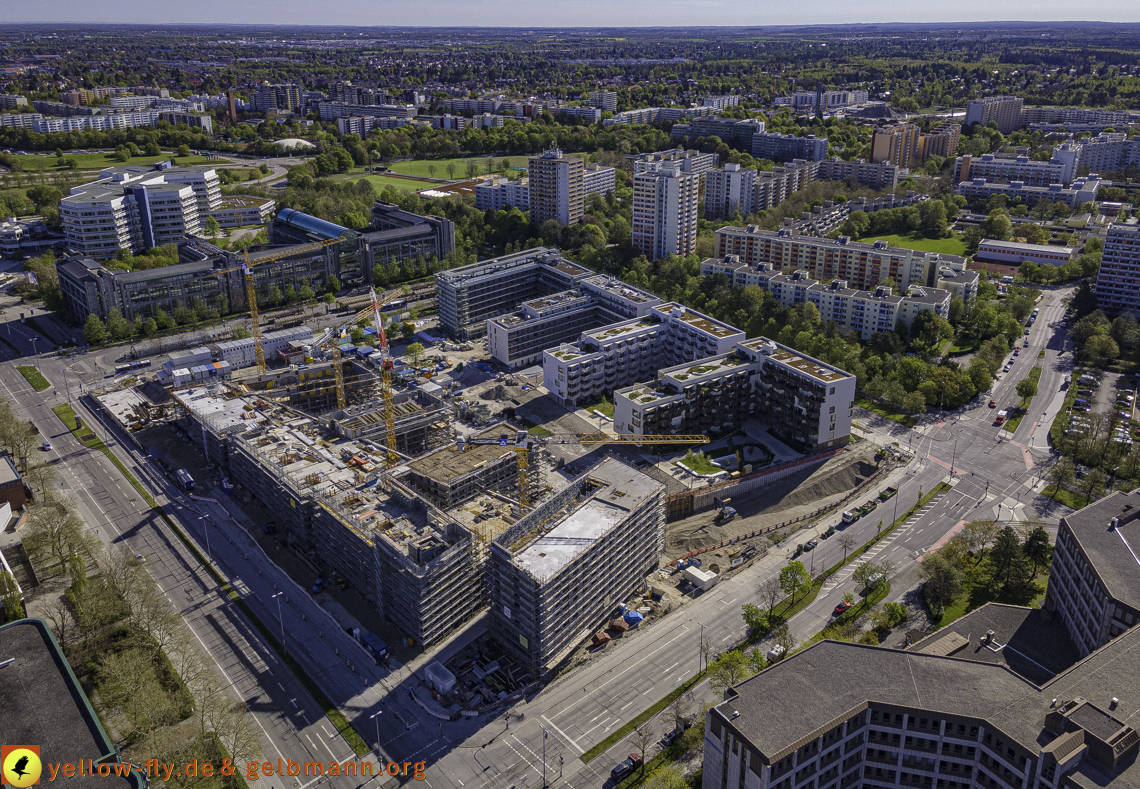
(422, 570)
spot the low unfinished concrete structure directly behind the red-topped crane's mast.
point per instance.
(422, 421)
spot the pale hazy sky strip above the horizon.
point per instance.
(559, 13)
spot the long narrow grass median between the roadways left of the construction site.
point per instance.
(67, 416)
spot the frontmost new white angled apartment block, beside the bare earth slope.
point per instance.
(804, 401)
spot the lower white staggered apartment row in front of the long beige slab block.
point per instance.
(865, 313)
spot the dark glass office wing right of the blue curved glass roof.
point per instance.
(398, 235)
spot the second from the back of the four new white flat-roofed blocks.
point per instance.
(520, 338)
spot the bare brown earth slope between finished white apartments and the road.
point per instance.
(771, 505)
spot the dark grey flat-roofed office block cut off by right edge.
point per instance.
(1095, 579)
